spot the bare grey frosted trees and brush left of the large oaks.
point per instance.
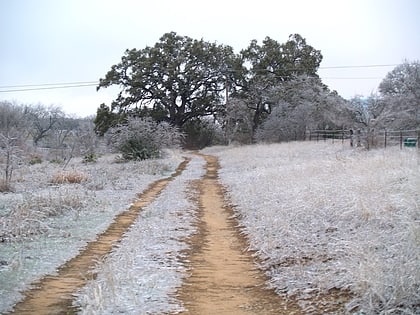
(27, 130)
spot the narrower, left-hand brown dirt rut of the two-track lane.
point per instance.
(53, 294)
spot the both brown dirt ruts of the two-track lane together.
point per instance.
(223, 277)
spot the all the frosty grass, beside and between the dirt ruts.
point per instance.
(320, 218)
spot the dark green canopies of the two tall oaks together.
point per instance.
(180, 79)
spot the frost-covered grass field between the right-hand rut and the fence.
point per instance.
(324, 216)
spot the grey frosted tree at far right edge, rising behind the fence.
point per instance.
(400, 97)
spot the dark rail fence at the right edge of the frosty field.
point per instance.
(368, 139)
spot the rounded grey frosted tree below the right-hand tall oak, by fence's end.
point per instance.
(301, 104)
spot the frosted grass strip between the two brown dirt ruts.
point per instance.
(142, 274)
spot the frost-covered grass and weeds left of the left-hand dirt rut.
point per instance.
(46, 221)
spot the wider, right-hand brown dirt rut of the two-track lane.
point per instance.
(224, 279)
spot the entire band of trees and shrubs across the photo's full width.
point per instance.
(193, 93)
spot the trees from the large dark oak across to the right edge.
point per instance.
(268, 91)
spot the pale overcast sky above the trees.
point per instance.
(52, 41)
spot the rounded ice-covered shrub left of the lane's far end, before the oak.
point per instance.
(143, 138)
